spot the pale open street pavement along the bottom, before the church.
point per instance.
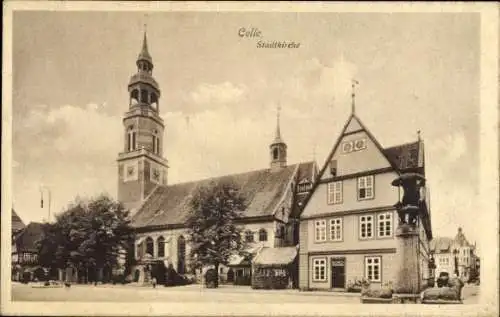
(192, 293)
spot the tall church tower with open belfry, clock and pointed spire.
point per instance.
(141, 165)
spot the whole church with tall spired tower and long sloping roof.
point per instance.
(159, 210)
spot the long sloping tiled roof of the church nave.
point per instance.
(264, 189)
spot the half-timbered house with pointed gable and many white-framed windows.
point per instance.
(348, 225)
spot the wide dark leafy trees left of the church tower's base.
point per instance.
(87, 234)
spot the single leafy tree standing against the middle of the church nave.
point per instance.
(213, 233)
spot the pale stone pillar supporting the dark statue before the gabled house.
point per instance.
(407, 278)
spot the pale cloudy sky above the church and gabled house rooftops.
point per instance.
(220, 92)
